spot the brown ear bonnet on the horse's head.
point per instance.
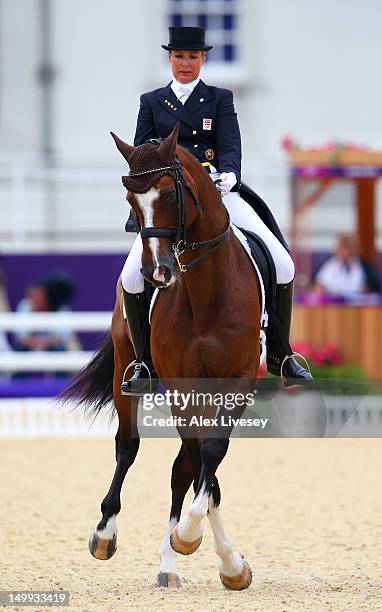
(148, 162)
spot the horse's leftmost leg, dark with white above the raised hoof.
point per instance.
(103, 542)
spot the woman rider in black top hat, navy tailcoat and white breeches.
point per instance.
(209, 130)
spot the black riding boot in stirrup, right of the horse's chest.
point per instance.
(278, 346)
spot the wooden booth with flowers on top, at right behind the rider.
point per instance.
(355, 329)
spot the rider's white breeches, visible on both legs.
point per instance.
(241, 215)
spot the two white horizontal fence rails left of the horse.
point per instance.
(30, 361)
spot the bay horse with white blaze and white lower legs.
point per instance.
(205, 324)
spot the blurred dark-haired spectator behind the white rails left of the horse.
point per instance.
(53, 294)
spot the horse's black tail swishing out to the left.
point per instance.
(93, 385)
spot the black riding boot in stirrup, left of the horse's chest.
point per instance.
(144, 378)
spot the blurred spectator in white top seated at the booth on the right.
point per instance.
(345, 273)
